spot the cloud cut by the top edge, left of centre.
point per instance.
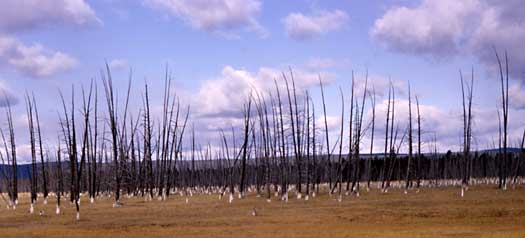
(216, 16)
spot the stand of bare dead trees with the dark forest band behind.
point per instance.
(107, 148)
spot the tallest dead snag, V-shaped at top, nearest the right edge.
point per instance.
(504, 79)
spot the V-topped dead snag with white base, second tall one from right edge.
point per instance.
(467, 129)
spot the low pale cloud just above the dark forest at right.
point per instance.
(443, 125)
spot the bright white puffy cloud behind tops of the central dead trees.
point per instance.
(225, 95)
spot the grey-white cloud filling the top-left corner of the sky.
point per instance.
(16, 16)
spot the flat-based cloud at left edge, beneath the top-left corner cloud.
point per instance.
(33, 60)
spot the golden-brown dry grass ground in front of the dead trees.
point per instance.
(483, 212)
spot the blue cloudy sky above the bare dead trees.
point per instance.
(217, 51)
